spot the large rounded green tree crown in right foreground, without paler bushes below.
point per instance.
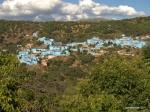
(126, 79)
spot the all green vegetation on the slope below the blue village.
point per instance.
(110, 83)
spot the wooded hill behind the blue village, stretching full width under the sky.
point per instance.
(20, 32)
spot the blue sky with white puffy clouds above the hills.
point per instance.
(72, 10)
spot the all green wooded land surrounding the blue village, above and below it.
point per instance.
(79, 82)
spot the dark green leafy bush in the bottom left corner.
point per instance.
(9, 100)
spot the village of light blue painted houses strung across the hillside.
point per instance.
(92, 46)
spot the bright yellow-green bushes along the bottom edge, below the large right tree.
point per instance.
(92, 103)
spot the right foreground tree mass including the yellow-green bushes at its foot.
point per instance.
(114, 84)
